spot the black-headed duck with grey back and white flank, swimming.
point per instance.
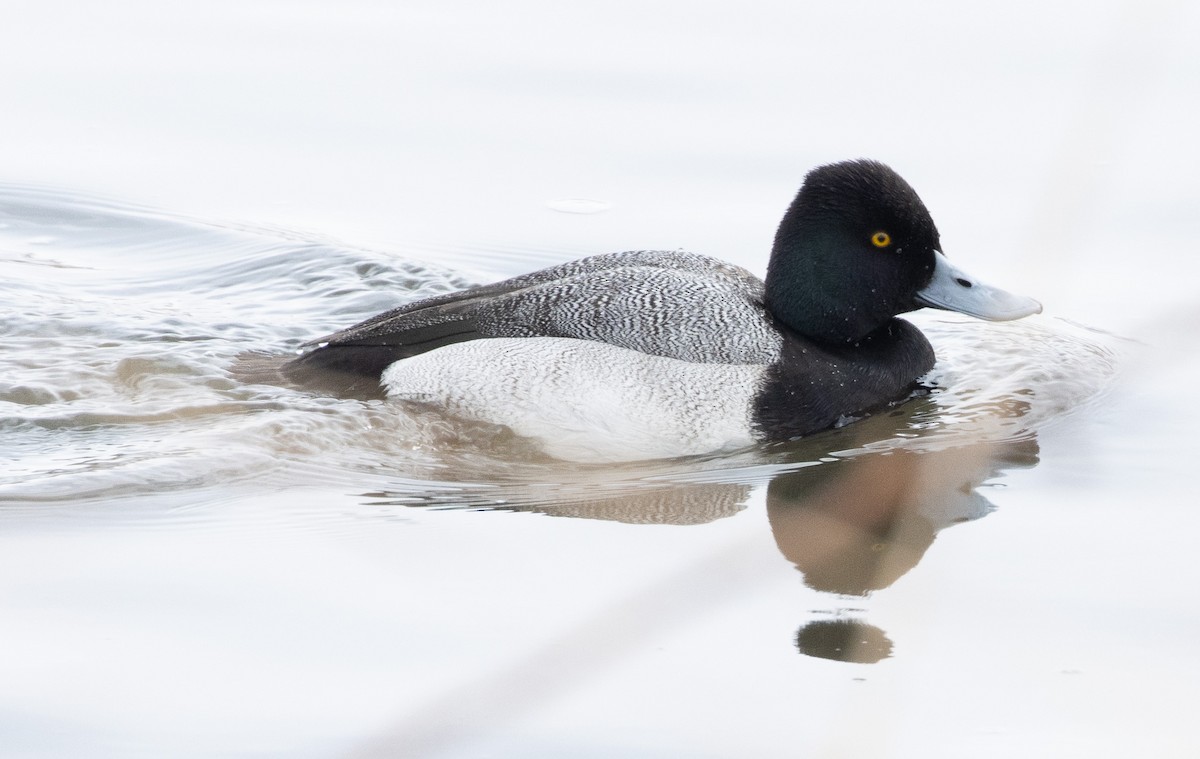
(645, 354)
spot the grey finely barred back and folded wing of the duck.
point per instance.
(663, 312)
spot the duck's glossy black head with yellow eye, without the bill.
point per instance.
(854, 250)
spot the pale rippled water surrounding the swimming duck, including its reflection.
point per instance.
(195, 567)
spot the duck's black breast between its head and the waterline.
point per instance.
(813, 386)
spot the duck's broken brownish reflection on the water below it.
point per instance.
(853, 522)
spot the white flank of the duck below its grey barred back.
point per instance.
(586, 401)
